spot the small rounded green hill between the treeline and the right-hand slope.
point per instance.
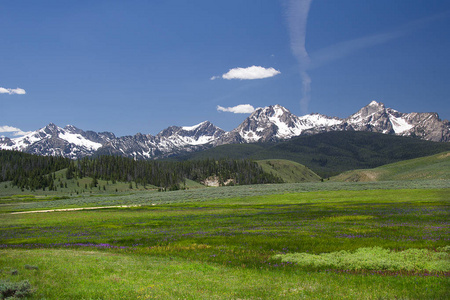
(289, 171)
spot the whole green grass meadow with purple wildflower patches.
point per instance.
(234, 243)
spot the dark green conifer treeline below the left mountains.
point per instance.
(37, 172)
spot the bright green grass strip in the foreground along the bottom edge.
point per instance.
(81, 274)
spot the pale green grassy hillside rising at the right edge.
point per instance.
(430, 167)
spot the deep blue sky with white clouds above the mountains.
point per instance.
(142, 66)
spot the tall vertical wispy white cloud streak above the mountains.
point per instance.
(297, 17)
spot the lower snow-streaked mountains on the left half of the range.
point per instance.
(75, 143)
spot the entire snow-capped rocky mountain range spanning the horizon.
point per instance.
(269, 124)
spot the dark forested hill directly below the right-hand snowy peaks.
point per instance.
(331, 153)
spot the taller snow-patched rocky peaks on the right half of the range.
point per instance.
(275, 123)
